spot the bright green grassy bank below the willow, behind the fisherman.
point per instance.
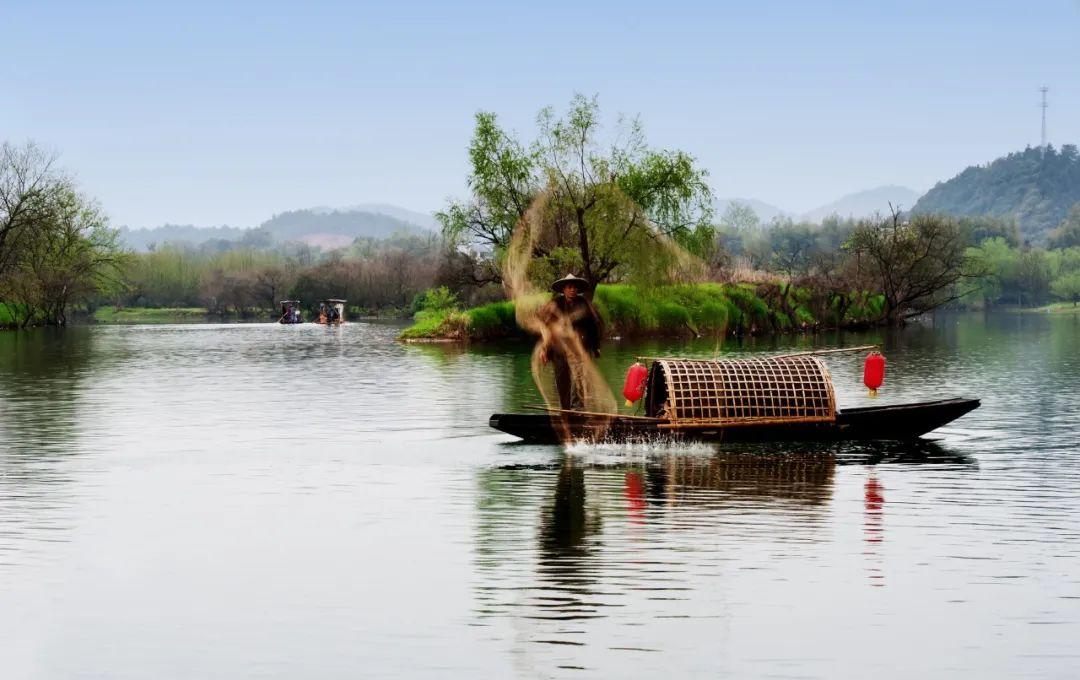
(683, 310)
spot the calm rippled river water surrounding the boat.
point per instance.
(263, 501)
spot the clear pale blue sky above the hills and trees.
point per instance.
(224, 113)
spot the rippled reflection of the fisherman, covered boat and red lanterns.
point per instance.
(616, 539)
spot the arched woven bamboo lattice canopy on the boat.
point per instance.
(747, 392)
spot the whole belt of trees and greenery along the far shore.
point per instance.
(612, 208)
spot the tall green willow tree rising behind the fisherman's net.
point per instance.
(611, 202)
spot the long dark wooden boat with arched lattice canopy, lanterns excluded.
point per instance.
(771, 400)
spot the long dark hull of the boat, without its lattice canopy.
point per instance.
(904, 421)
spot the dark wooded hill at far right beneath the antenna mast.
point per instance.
(1034, 187)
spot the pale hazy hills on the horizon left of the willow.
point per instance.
(327, 228)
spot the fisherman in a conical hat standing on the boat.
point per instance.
(572, 336)
